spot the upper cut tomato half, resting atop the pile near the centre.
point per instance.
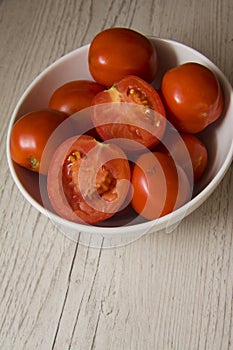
(132, 110)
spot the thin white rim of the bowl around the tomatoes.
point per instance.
(158, 224)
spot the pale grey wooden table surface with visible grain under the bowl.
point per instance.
(163, 291)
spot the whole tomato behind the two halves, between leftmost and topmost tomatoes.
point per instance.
(74, 96)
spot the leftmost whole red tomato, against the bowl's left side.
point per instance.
(29, 136)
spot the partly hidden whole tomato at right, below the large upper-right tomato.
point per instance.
(197, 152)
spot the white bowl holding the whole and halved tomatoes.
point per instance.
(218, 138)
